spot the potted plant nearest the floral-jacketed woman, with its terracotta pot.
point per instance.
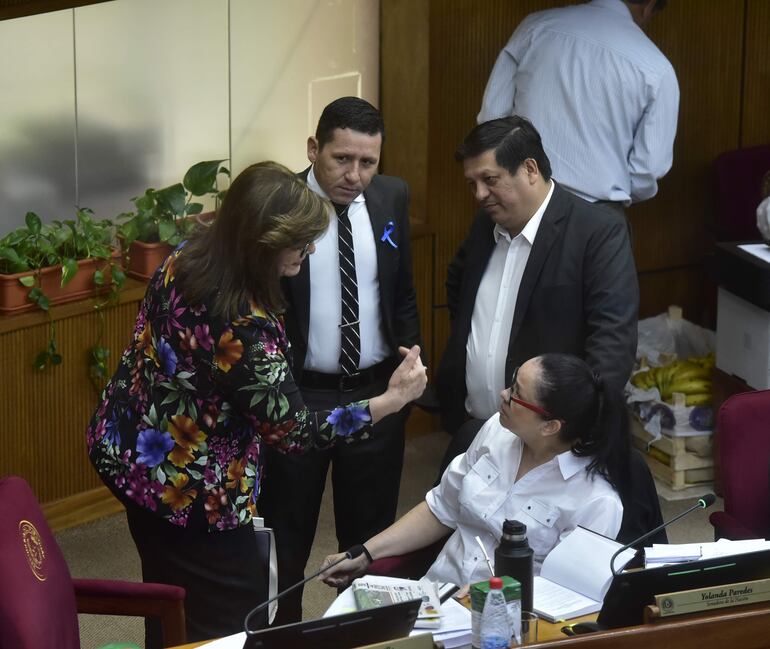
(165, 217)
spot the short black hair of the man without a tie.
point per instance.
(513, 139)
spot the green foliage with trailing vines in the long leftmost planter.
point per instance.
(36, 246)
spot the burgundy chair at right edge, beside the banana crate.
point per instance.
(743, 452)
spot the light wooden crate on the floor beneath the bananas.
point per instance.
(670, 461)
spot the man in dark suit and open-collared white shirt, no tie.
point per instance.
(540, 271)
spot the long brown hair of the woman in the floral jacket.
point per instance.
(266, 210)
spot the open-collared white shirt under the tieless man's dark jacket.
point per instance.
(487, 345)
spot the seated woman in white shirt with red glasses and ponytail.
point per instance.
(554, 457)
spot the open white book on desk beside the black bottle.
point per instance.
(576, 575)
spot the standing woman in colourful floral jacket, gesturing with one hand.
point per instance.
(204, 383)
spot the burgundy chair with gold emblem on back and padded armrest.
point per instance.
(39, 601)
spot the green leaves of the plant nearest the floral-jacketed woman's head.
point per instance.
(160, 214)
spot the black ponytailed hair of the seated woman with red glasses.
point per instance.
(593, 415)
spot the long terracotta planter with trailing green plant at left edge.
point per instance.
(46, 264)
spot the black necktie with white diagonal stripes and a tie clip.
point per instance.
(350, 338)
